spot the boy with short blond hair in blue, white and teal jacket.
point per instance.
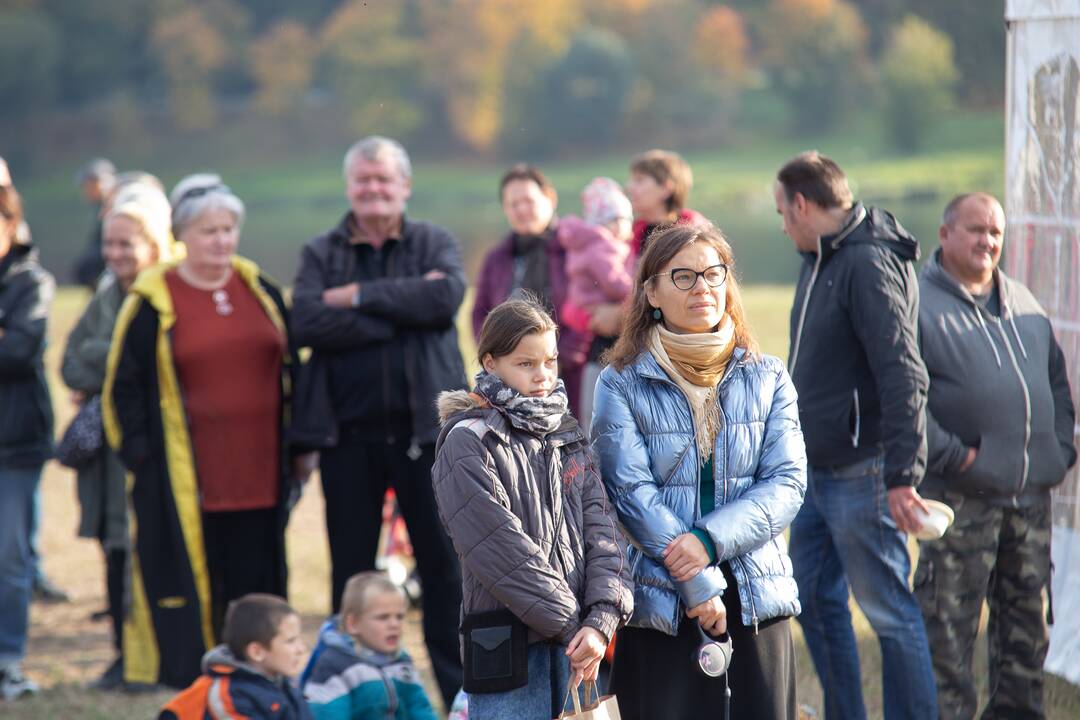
(359, 671)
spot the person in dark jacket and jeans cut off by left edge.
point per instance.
(26, 431)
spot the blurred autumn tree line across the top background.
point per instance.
(492, 76)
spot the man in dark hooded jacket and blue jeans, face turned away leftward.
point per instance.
(855, 360)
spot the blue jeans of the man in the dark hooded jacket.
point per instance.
(845, 536)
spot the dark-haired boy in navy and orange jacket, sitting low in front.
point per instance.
(250, 674)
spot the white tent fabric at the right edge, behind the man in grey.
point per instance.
(1043, 246)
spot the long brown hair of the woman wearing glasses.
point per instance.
(665, 246)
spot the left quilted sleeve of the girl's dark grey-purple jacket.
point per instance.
(493, 546)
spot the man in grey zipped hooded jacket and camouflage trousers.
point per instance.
(1000, 432)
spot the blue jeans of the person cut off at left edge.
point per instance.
(18, 486)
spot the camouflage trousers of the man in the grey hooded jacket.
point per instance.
(1001, 555)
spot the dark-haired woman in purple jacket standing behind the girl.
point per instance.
(530, 259)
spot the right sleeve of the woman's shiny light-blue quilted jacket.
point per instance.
(771, 505)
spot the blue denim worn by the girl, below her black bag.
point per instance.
(549, 677)
